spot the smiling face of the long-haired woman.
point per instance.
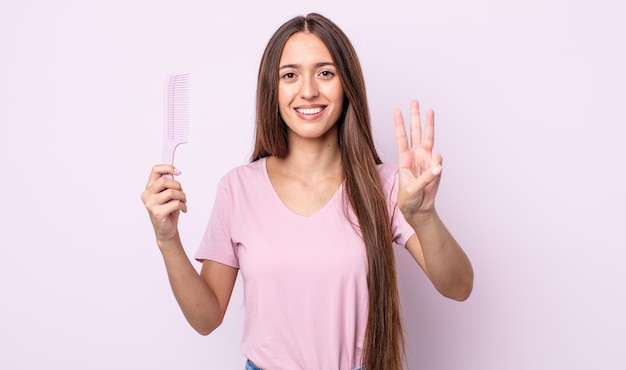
(310, 96)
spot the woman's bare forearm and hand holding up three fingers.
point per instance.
(419, 172)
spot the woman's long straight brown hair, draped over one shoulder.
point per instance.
(384, 344)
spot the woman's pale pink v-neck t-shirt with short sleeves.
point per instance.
(304, 278)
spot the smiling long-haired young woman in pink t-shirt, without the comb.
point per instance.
(311, 220)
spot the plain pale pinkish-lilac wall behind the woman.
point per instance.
(529, 97)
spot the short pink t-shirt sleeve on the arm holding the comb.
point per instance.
(216, 244)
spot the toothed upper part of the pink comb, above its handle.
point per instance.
(177, 96)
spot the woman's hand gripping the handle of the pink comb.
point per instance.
(164, 199)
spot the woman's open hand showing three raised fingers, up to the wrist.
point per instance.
(419, 168)
